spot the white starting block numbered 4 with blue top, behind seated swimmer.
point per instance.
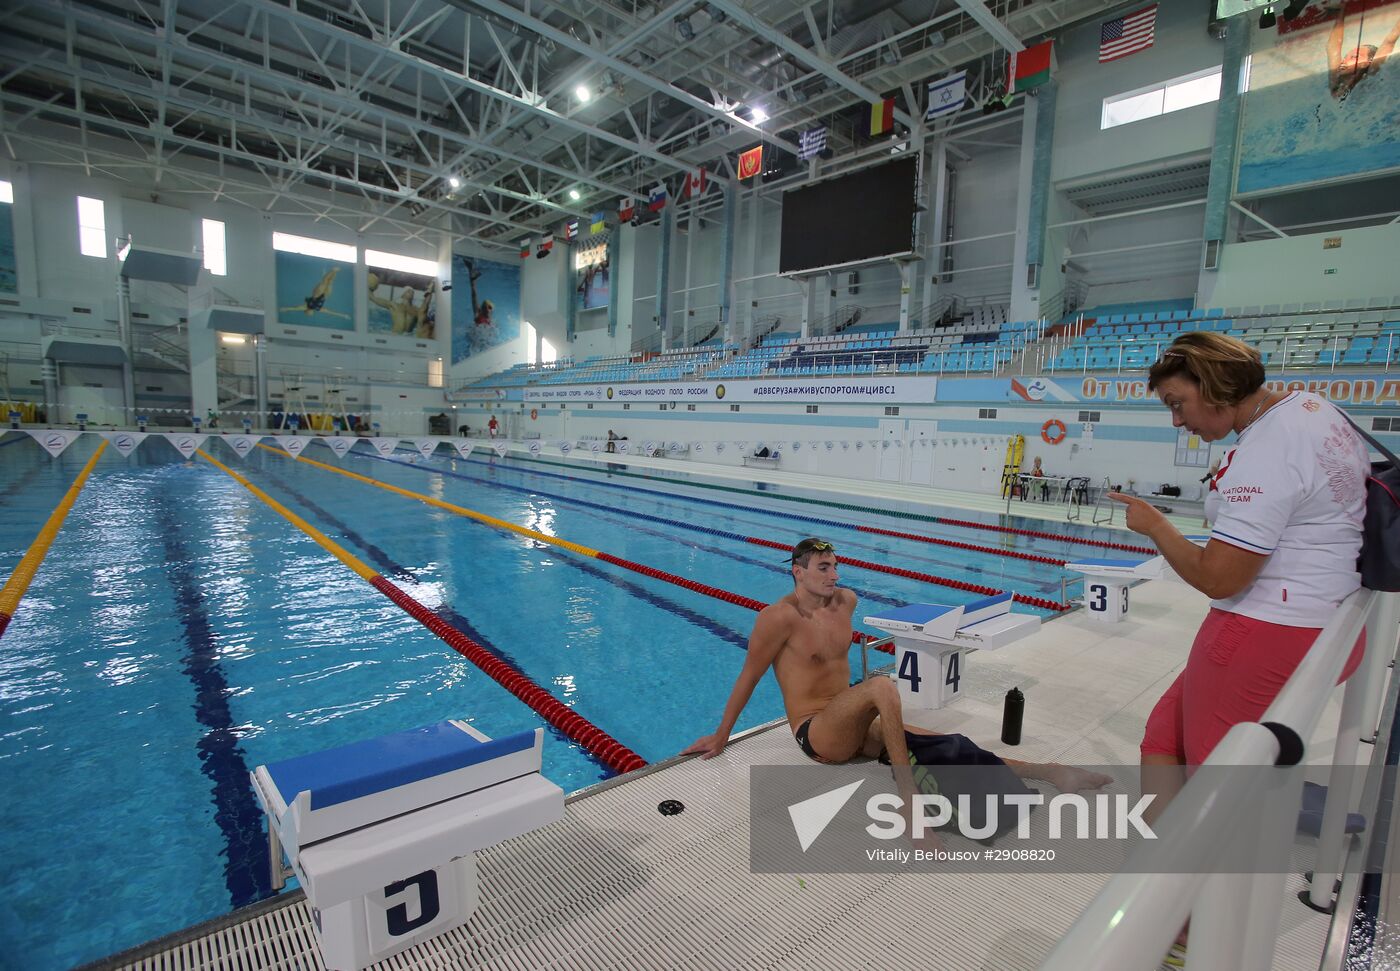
(932, 643)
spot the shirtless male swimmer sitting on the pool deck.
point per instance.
(807, 639)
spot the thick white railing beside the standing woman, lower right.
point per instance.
(1133, 921)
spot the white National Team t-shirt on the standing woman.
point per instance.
(1294, 488)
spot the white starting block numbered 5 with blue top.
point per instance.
(383, 833)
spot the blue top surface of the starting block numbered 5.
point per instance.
(363, 769)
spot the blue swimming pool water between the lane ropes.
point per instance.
(183, 633)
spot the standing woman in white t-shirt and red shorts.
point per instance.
(1286, 511)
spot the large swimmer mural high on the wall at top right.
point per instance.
(1324, 97)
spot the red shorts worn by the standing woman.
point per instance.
(1238, 667)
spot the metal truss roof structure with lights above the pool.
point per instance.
(463, 117)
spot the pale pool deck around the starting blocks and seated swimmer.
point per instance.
(617, 885)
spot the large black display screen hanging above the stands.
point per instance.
(856, 218)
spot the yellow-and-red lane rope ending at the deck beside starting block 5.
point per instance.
(566, 720)
